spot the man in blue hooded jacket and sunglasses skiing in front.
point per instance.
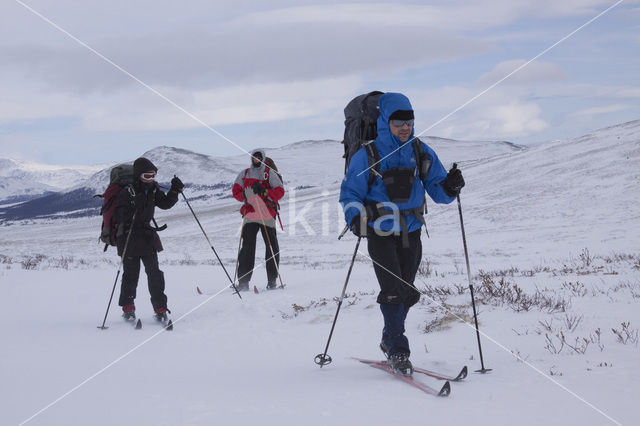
(393, 206)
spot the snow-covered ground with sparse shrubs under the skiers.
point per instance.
(552, 232)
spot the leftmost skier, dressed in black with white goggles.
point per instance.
(144, 244)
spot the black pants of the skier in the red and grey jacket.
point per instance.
(247, 256)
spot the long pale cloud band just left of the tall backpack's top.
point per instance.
(240, 104)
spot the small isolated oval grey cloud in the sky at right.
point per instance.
(534, 72)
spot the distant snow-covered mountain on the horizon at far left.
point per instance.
(24, 180)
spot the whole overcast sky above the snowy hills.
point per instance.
(271, 73)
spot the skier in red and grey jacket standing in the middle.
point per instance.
(259, 188)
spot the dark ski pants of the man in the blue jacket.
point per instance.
(395, 267)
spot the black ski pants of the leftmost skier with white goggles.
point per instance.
(155, 280)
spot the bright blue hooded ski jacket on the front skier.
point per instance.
(355, 188)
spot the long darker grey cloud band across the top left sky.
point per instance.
(274, 46)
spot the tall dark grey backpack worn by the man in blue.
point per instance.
(361, 128)
